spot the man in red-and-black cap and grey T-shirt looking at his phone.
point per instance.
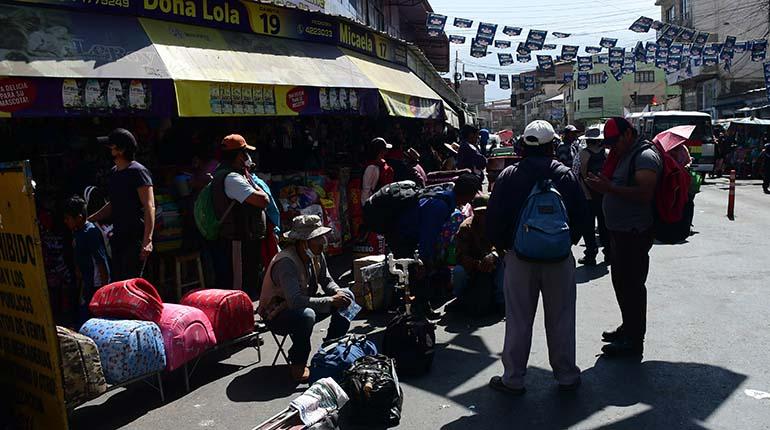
(628, 183)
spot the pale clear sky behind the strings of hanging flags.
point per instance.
(587, 20)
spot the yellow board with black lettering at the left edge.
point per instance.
(29, 347)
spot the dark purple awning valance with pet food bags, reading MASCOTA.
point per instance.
(37, 97)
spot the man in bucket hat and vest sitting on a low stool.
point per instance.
(289, 302)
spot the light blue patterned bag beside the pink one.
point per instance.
(127, 348)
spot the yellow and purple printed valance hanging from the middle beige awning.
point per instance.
(207, 99)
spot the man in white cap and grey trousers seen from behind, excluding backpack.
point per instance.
(526, 280)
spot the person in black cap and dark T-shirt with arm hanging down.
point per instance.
(131, 206)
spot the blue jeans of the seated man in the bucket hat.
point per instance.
(298, 324)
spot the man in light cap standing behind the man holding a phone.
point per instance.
(591, 160)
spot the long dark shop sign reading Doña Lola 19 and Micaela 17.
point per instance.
(252, 17)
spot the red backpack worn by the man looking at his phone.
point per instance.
(671, 196)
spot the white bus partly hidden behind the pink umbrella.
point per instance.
(701, 144)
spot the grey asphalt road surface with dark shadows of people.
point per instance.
(708, 340)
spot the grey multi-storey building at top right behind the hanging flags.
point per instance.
(719, 91)
